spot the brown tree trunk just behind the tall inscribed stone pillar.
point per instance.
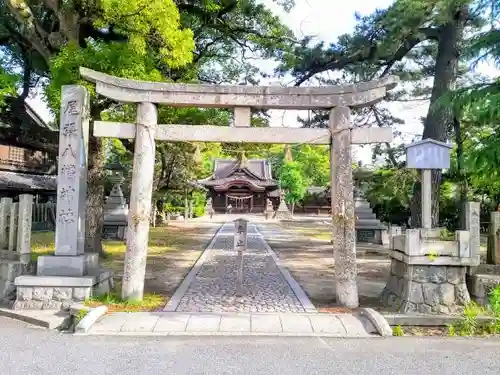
(95, 190)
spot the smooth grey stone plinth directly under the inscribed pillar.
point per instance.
(53, 265)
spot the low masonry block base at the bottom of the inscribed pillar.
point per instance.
(56, 292)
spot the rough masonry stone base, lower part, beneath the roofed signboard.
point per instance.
(425, 289)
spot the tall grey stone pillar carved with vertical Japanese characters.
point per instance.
(72, 171)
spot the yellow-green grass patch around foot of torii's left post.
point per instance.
(113, 301)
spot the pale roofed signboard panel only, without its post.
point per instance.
(428, 154)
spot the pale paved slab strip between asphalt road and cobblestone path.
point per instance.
(244, 324)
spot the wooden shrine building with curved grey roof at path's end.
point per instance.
(244, 184)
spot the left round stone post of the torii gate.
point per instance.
(140, 203)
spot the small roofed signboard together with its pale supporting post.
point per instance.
(426, 155)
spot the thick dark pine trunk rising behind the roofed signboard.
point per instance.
(439, 120)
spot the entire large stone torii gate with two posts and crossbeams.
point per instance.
(340, 136)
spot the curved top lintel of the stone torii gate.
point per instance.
(225, 96)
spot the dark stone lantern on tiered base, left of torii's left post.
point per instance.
(115, 207)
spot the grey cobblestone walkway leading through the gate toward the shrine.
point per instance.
(265, 288)
